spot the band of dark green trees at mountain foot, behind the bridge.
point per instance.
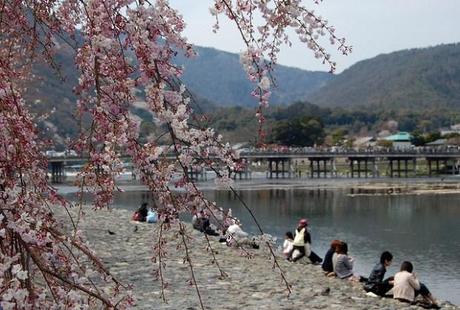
(306, 124)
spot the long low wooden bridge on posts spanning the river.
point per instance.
(322, 163)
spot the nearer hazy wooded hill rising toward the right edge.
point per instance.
(427, 77)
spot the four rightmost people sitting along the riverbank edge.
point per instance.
(404, 286)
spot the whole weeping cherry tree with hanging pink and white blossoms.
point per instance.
(120, 46)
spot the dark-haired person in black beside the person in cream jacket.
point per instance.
(375, 283)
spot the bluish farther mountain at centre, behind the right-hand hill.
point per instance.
(218, 77)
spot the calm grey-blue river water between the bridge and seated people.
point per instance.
(424, 229)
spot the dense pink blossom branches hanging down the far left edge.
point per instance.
(42, 265)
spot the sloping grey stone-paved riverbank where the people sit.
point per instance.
(251, 284)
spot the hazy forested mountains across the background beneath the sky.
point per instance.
(418, 88)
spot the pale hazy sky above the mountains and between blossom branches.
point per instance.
(371, 26)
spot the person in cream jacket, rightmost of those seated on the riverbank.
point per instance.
(406, 286)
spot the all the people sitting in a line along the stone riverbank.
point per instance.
(404, 286)
